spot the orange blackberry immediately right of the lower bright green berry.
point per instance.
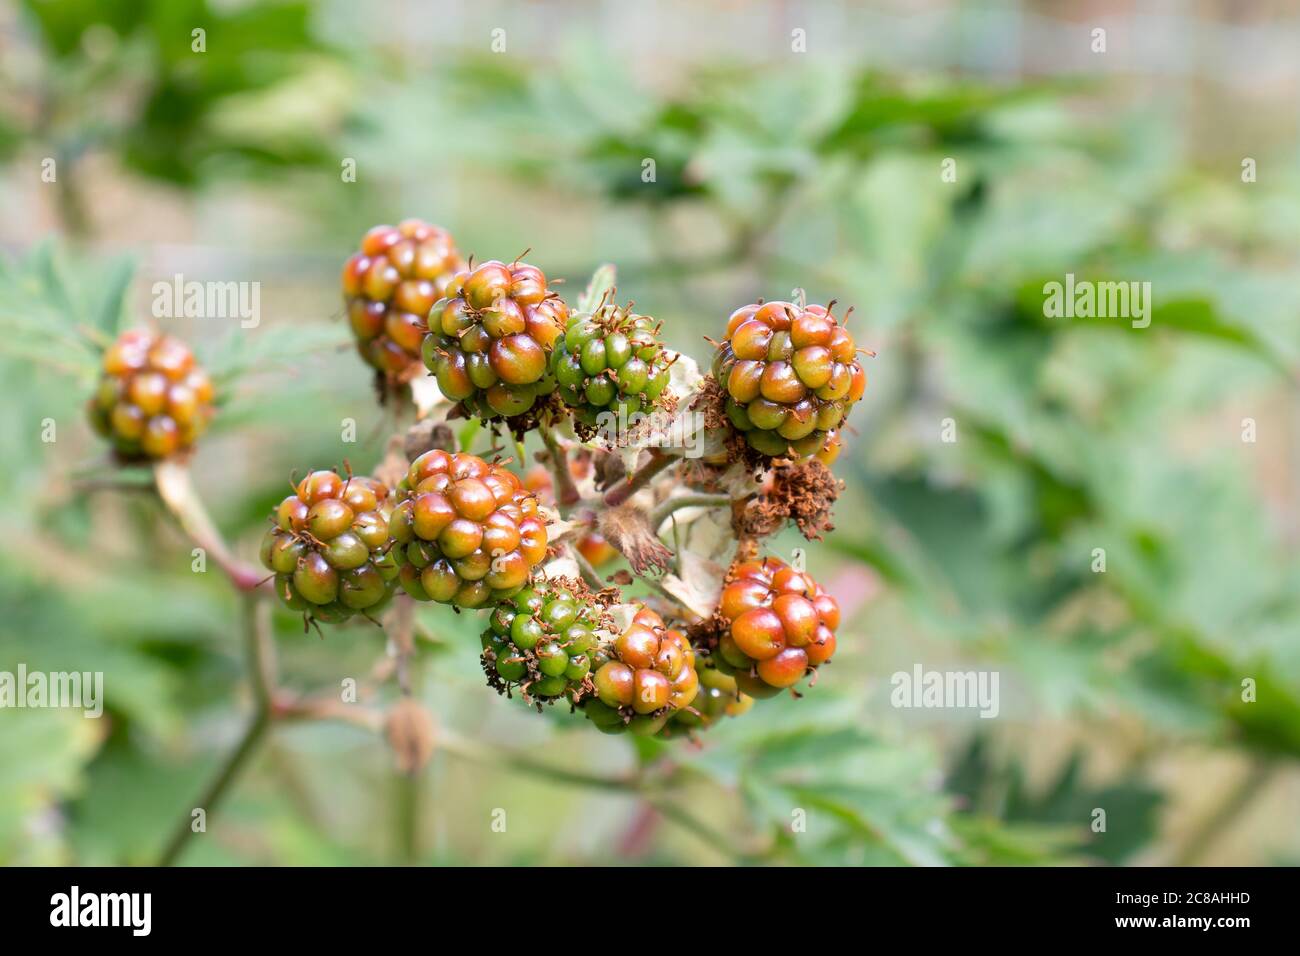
(642, 678)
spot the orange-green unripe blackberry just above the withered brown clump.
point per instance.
(791, 374)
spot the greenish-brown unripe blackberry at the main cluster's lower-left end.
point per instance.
(330, 547)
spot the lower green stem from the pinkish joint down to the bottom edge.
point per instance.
(262, 673)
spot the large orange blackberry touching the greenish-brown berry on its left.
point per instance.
(466, 533)
